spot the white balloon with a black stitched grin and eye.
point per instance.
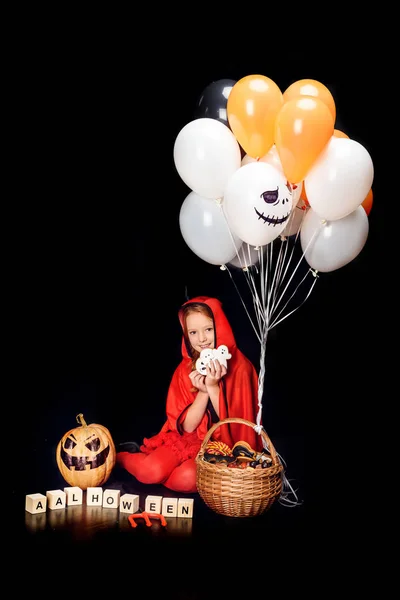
(257, 203)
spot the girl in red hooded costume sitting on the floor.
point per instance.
(195, 402)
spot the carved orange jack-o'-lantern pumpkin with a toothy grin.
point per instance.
(86, 455)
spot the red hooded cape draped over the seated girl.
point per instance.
(237, 398)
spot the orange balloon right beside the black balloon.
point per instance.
(253, 105)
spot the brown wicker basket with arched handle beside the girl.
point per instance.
(238, 492)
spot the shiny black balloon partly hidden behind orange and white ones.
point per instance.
(213, 100)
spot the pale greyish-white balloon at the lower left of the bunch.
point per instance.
(205, 230)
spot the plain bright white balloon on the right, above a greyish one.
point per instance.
(340, 179)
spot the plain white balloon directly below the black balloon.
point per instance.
(206, 154)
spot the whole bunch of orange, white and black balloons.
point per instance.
(262, 164)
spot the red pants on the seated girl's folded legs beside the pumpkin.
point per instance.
(161, 466)
